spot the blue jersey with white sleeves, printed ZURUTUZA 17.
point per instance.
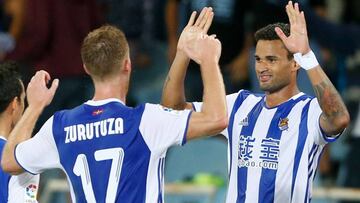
(109, 152)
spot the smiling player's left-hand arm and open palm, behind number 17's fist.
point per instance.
(173, 92)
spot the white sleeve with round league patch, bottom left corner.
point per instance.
(23, 188)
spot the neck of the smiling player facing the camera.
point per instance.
(276, 98)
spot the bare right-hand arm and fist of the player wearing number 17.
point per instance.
(206, 50)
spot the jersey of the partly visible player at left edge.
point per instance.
(17, 189)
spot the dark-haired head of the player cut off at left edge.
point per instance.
(12, 93)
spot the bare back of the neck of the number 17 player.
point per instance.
(111, 89)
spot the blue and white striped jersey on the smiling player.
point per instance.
(273, 153)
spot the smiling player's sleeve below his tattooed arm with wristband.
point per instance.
(320, 137)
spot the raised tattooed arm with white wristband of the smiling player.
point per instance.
(335, 116)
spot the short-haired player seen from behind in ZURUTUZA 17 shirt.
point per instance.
(111, 152)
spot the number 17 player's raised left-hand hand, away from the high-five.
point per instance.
(38, 94)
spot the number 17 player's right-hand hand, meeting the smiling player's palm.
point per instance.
(204, 48)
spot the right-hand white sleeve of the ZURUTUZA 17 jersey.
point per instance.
(163, 127)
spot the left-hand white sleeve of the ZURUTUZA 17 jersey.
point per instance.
(40, 152)
